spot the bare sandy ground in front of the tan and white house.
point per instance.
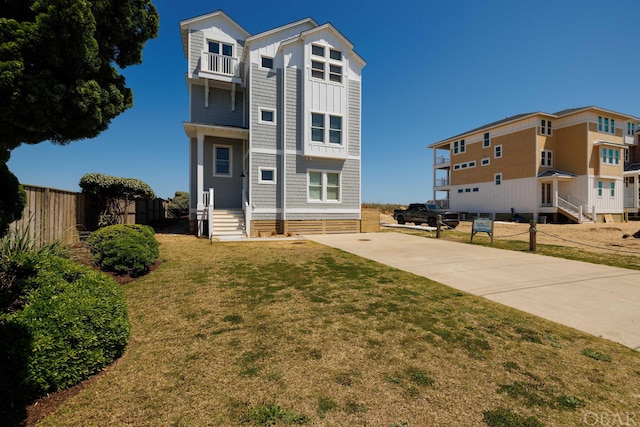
(591, 237)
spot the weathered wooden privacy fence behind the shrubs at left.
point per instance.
(52, 214)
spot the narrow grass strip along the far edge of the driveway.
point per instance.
(611, 259)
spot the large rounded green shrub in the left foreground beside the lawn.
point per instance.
(73, 323)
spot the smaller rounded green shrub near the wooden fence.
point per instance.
(125, 248)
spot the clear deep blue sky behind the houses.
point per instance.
(435, 68)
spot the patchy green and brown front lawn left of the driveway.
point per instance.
(295, 333)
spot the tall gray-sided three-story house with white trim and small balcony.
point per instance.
(274, 126)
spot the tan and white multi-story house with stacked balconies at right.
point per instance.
(566, 167)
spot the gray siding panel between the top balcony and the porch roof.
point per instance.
(219, 111)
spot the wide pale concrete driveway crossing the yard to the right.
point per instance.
(600, 300)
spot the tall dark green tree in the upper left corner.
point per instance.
(60, 63)
